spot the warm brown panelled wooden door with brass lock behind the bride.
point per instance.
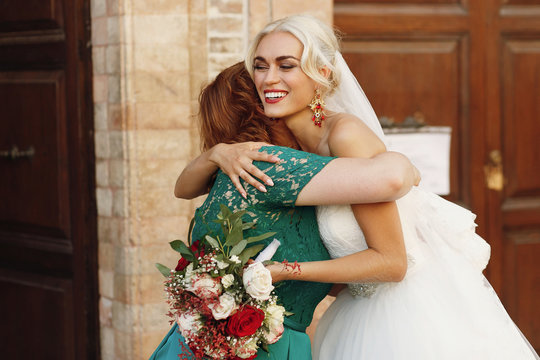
(473, 65)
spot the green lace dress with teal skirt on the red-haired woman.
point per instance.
(295, 227)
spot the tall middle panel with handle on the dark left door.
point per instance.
(33, 136)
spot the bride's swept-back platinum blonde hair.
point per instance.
(320, 46)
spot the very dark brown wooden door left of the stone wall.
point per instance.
(48, 242)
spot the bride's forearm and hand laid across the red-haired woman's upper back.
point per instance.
(234, 159)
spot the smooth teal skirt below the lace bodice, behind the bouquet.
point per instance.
(293, 345)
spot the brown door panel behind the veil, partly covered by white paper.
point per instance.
(439, 95)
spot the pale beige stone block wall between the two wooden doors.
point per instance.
(150, 61)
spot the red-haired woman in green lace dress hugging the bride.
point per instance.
(300, 181)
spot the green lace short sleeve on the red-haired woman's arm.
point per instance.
(295, 170)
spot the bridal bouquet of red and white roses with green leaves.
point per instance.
(224, 307)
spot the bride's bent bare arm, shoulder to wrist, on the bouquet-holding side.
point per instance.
(385, 259)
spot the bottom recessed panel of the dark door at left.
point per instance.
(44, 329)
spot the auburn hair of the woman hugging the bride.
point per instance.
(230, 111)
